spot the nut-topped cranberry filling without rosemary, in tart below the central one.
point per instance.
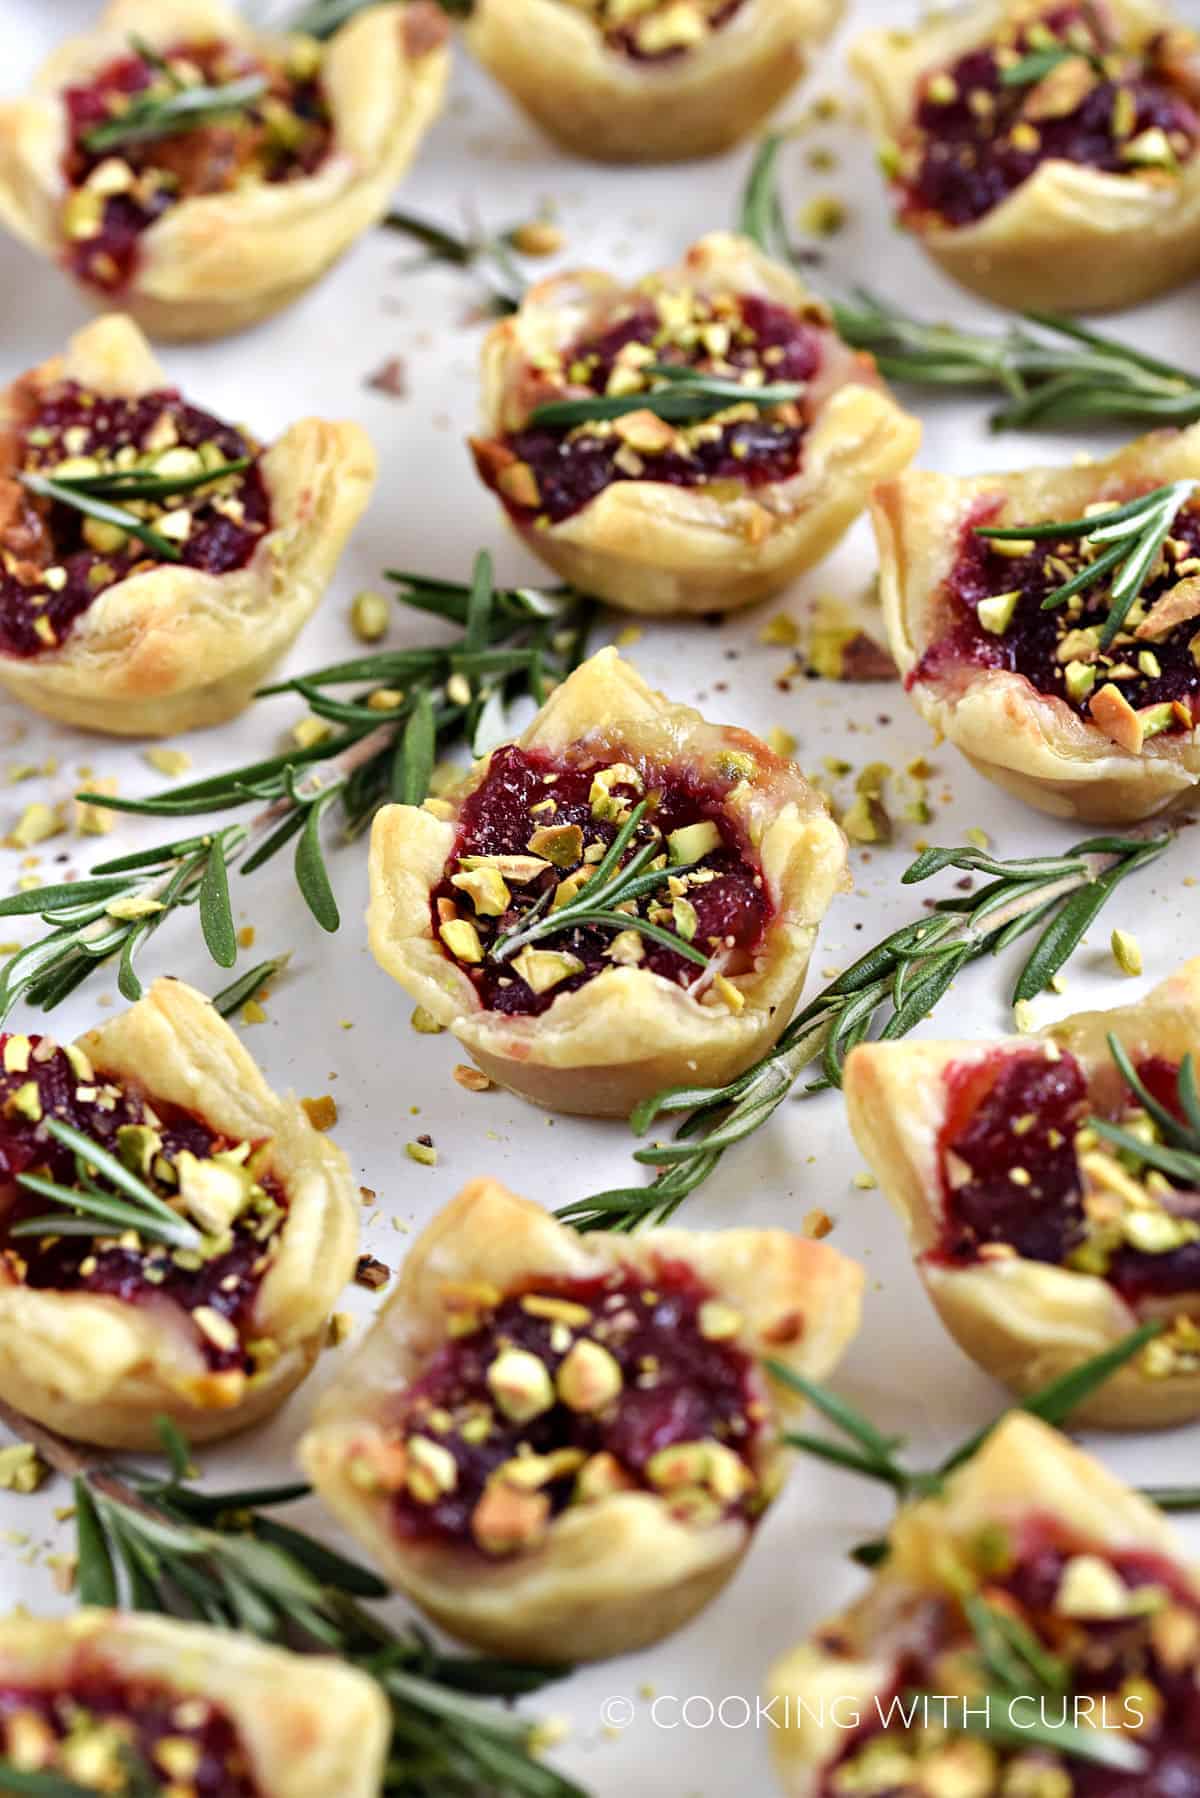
(571, 1391)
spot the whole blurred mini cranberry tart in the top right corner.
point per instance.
(1073, 193)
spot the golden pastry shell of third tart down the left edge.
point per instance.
(98, 1369)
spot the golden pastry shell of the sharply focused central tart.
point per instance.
(627, 1033)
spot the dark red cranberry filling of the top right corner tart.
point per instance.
(980, 147)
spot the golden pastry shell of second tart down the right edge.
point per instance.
(1030, 743)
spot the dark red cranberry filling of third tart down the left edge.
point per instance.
(226, 1283)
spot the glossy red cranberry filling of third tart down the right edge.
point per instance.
(1021, 1177)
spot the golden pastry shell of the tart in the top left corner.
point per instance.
(219, 263)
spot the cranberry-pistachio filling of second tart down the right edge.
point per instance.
(1059, 652)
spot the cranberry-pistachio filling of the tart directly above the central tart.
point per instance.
(553, 474)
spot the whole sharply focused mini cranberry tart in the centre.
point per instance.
(596, 1020)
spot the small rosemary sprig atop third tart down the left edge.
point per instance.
(125, 1204)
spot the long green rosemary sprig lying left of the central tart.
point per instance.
(514, 645)
